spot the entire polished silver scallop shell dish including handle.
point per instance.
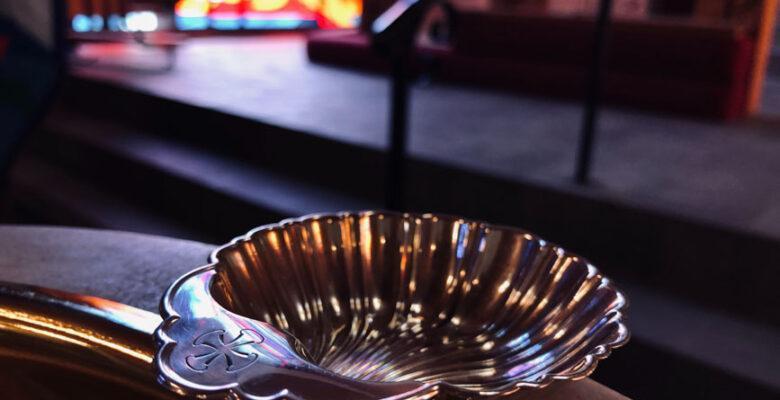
(377, 305)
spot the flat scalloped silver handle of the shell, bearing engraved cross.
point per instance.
(204, 349)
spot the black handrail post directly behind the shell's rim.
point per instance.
(394, 187)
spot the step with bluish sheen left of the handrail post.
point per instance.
(218, 195)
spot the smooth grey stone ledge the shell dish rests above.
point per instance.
(136, 269)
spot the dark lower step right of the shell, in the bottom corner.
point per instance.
(682, 350)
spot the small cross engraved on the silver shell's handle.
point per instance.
(213, 347)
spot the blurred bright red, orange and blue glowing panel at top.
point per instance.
(267, 14)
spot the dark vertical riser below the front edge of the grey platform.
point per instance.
(711, 263)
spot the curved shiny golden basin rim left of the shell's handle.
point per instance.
(57, 346)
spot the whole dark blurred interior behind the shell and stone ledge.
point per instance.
(642, 134)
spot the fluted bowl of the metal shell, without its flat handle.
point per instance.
(391, 297)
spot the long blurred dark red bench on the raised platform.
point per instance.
(690, 66)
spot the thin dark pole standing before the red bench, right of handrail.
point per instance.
(593, 93)
